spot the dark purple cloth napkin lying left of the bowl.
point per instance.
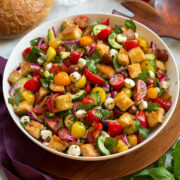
(20, 158)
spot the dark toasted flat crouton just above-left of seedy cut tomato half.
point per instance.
(106, 71)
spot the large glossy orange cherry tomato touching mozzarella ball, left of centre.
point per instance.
(62, 79)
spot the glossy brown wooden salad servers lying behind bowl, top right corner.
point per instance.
(163, 16)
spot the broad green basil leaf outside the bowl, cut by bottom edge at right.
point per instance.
(160, 173)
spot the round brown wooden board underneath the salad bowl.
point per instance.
(119, 167)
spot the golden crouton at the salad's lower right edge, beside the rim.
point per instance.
(155, 118)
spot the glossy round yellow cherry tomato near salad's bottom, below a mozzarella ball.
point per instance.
(78, 129)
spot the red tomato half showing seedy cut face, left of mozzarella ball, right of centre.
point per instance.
(117, 81)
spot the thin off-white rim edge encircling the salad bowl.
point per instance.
(82, 158)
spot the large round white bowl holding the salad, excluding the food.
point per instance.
(16, 57)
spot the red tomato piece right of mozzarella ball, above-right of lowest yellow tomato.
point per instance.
(91, 117)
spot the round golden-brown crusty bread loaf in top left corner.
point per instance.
(20, 16)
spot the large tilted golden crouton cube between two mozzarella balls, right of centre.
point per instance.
(123, 101)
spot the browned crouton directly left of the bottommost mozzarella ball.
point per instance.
(57, 144)
